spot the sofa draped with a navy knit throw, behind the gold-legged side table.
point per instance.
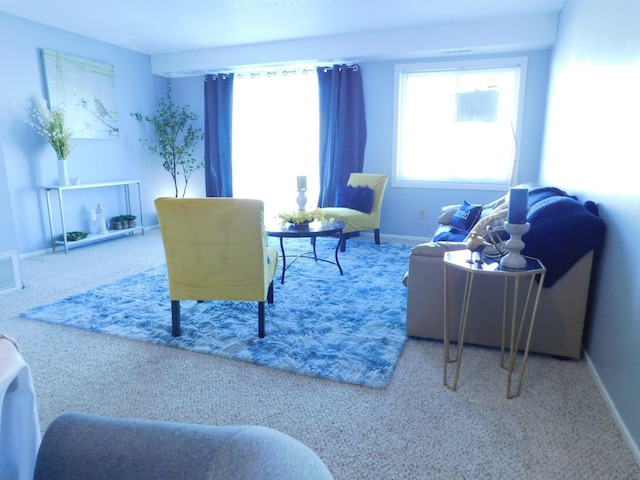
(564, 234)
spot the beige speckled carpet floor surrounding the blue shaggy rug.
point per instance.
(559, 428)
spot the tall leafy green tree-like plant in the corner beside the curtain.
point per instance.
(175, 139)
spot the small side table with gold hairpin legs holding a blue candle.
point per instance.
(513, 278)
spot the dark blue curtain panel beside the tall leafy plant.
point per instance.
(218, 102)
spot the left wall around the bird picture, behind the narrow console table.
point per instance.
(30, 162)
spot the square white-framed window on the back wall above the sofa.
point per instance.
(456, 123)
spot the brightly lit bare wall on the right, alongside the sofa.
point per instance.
(592, 148)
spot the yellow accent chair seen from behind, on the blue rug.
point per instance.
(216, 249)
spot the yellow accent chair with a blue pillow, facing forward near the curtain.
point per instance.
(355, 220)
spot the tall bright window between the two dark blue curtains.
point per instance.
(275, 138)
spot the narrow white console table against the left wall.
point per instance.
(125, 184)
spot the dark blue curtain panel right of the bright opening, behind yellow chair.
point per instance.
(343, 129)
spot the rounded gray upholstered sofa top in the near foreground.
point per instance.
(87, 447)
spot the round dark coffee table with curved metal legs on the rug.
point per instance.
(312, 231)
